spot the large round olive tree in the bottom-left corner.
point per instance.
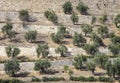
(11, 67)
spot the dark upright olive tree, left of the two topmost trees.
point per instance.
(67, 7)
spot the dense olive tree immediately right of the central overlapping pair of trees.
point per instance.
(78, 39)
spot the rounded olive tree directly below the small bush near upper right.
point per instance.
(103, 31)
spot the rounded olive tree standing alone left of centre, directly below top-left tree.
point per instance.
(30, 36)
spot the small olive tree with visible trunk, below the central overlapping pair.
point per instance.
(62, 49)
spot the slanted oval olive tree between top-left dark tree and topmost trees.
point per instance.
(50, 15)
